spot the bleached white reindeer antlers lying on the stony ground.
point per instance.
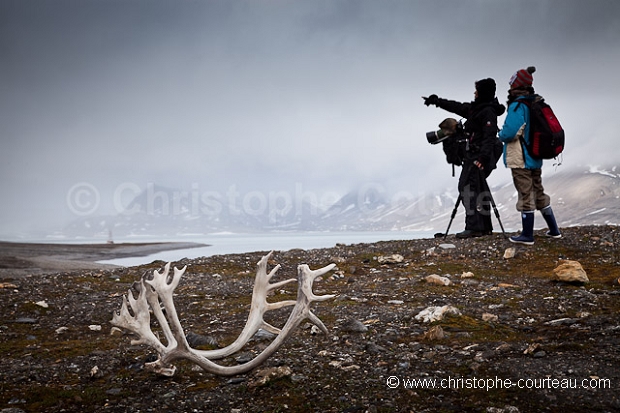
(157, 292)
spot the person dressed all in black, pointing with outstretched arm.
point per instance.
(483, 150)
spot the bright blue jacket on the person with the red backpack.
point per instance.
(518, 113)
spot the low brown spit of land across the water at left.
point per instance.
(19, 259)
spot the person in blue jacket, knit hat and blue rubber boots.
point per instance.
(526, 170)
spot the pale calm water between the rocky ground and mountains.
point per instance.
(239, 243)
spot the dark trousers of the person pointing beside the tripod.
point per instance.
(476, 199)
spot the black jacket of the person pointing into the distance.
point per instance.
(481, 129)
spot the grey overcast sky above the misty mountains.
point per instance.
(313, 95)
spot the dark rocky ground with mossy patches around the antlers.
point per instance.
(515, 338)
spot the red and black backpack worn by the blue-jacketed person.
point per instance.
(546, 134)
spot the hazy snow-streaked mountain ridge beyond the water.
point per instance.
(581, 196)
